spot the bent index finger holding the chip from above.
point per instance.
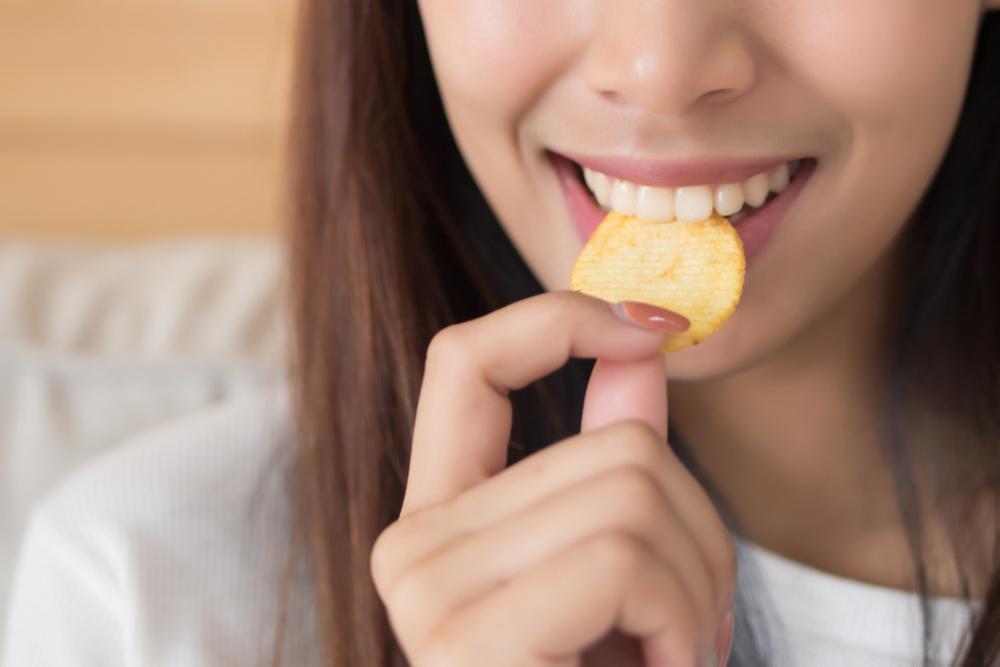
(463, 418)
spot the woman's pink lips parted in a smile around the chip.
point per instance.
(755, 229)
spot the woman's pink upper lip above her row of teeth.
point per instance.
(699, 171)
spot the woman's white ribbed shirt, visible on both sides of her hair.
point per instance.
(170, 551)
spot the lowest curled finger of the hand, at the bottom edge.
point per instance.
(607, 581)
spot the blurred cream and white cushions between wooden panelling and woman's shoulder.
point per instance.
(102, 340)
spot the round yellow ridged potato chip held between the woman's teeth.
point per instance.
(695, 268)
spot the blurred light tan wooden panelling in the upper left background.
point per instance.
(160, 117)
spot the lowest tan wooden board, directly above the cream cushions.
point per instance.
(109, 195)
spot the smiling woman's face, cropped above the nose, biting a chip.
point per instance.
(708, 93)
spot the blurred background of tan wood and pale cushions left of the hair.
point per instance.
(141, 206)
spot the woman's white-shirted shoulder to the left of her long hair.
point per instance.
(179, 540)
